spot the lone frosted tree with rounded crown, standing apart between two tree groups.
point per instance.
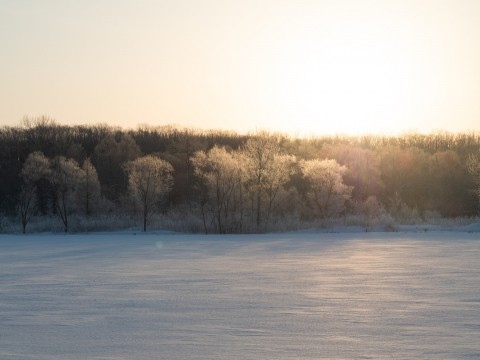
(149, 179)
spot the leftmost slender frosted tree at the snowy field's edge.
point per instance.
(36, 167)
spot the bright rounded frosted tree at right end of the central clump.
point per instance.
(327, 193)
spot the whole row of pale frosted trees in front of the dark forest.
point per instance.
(235, 189)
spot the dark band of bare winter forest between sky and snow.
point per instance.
(83, 178)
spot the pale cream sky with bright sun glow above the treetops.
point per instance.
(296, 66)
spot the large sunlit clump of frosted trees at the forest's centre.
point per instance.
(255, 185)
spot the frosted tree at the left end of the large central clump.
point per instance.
(219, 174)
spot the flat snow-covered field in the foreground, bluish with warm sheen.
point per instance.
(288, 296)
